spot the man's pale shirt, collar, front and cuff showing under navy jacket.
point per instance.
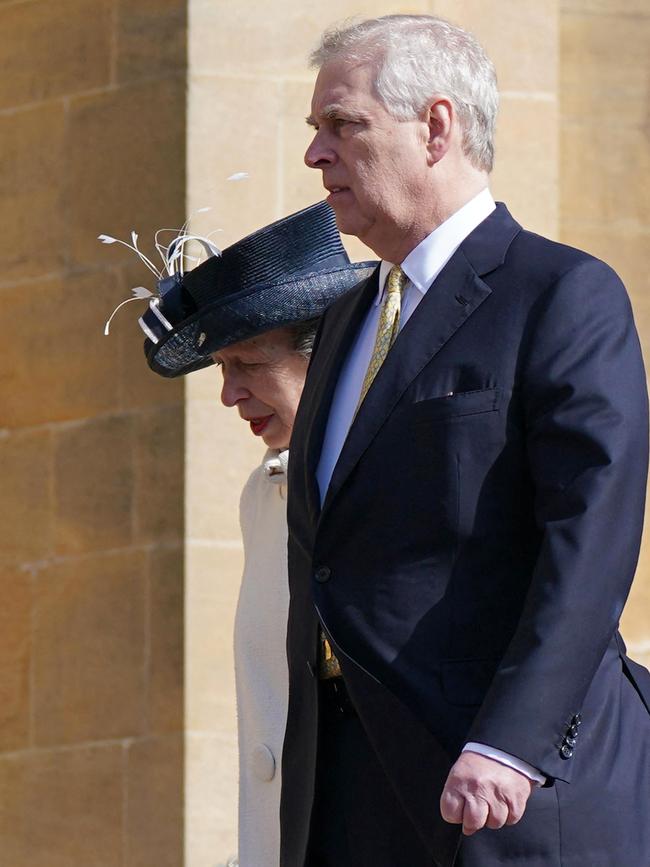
(421, 266)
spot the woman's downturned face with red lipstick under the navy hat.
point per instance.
(263, 377)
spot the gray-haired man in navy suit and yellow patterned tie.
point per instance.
(466, 499)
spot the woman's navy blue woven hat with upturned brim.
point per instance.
(285, 273)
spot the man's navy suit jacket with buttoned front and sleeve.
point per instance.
(481, 529)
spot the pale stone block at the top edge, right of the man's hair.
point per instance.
(520, 38)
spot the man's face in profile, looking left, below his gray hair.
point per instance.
(373, 165)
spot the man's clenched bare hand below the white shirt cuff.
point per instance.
(482, 793)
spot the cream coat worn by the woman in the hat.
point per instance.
(260, 660)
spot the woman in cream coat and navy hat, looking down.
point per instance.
(253, 311)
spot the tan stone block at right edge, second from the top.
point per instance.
(605, 176)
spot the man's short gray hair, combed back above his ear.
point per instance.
(418, 57)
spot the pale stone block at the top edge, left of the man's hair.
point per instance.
(276, 43)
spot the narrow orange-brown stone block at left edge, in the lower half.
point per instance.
(15, 652)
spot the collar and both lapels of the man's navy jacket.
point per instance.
(454, 296)
